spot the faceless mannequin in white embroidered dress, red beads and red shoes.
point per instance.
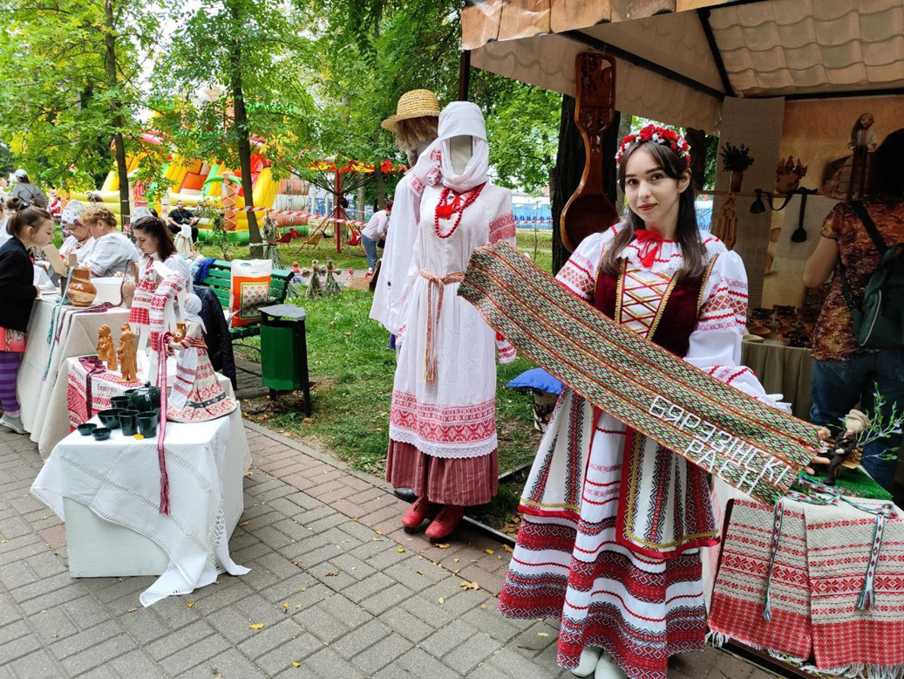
(442, 426)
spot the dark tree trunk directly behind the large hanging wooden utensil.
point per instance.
(570, 165)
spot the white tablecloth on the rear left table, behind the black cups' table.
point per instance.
(56, 333)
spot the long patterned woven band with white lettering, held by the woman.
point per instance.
(748, 444)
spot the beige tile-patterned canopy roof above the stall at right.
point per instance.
(677, 67)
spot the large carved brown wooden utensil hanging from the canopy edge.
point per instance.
(589, 209)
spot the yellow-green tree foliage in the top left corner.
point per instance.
(59, 109)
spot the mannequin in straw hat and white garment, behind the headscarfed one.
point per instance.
(414, 128)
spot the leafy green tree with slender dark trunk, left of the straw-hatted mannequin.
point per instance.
(231, 78)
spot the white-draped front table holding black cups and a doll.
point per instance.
(118, 480)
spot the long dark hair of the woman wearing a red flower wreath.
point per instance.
(687, 235)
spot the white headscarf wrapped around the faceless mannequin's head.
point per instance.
(434, 166)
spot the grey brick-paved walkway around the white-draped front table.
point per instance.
(337, 590)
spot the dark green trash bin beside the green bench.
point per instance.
(284, 351)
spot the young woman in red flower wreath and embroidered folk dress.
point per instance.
(612, 522)
